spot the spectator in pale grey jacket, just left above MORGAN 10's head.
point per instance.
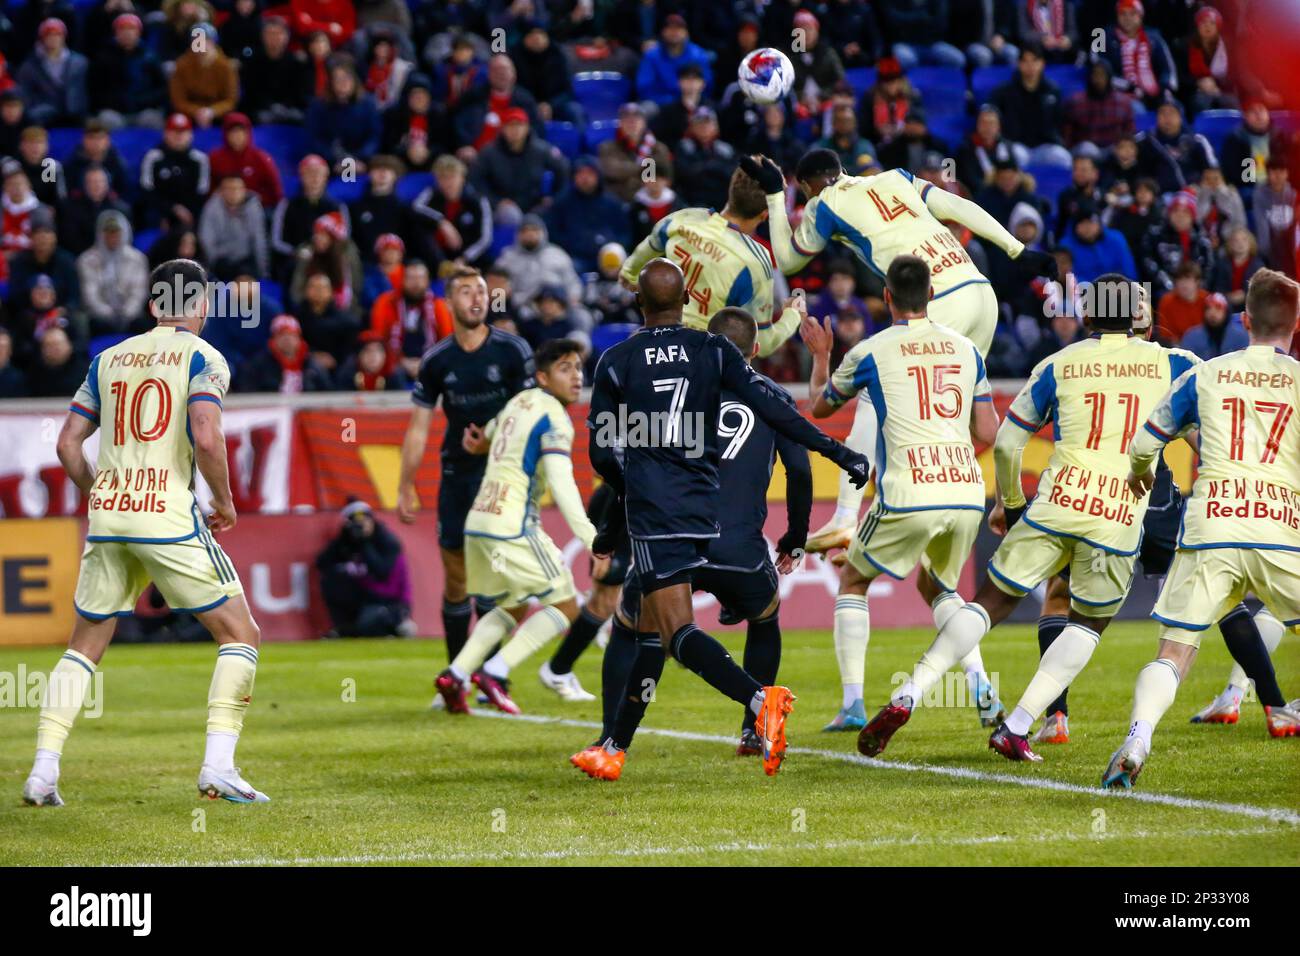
(114, 279)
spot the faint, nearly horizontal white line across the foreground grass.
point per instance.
(696, 850)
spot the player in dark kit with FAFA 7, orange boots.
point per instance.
(656, 404)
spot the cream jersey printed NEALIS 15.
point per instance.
(922, 380)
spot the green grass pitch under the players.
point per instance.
(383, 780)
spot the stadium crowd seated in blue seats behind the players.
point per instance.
(339, 159)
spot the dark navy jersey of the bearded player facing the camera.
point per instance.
(474, 386)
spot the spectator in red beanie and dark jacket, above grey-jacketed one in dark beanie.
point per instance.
(519, 171)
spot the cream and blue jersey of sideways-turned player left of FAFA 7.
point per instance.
(532, 425)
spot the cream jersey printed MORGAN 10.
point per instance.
(140, 393)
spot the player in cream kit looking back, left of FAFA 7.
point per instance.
(509, 559)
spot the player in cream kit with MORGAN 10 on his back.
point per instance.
(158, 397)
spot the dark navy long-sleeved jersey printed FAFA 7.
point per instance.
(656, 401)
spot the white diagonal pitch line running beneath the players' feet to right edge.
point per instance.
(1272, 814)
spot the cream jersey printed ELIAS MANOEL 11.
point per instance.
(1097, 393)
